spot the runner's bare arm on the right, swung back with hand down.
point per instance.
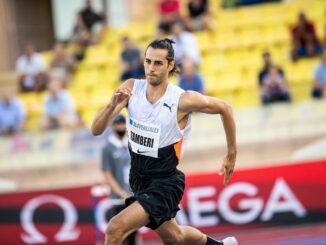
(196, 102)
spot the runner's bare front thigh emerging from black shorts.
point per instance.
(132, 217)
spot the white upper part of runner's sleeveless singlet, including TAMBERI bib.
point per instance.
(154, 126)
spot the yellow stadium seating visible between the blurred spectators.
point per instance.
(231, 56)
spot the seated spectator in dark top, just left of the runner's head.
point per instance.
(132, 65)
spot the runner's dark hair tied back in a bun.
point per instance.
(166, 44)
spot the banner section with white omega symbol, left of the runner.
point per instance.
(47, 217)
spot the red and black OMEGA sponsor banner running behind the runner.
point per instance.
(275, 196)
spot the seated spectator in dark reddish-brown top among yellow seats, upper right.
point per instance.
(304, 39)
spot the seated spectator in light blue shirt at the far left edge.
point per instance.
(12, 114)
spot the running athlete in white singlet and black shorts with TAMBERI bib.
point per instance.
(159, 122)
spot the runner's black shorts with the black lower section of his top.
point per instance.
(157, 185)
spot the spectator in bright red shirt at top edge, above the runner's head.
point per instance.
(169, 13)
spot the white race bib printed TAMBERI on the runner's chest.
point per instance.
(144, 138)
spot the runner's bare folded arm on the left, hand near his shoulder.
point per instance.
(118, 101)
